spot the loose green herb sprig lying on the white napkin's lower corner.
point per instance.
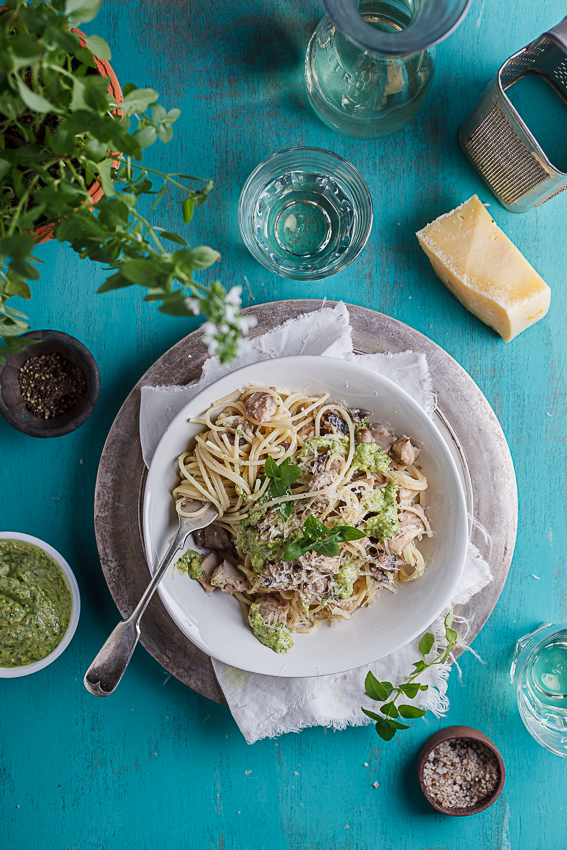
(387, 722)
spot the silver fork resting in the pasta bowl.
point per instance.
(104, 675)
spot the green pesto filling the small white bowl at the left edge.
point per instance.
(35, 603)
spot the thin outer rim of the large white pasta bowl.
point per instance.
(301, 362)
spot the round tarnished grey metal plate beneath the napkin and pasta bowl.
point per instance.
(464, 417)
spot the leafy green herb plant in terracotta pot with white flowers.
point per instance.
(71, 146)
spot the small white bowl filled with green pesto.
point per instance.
(39, 604)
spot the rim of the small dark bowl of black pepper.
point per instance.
(70, 343)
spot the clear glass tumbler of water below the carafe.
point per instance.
(305, 213)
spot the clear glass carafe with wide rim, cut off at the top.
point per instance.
(370, 63)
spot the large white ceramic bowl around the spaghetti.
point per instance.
(215, 623)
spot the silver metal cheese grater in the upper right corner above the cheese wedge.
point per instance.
(498, 142)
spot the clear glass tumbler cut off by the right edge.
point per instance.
(539, 676)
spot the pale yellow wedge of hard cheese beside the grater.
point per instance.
(484, 269)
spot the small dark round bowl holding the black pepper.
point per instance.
(12, 405)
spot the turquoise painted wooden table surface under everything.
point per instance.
(156, 765)
